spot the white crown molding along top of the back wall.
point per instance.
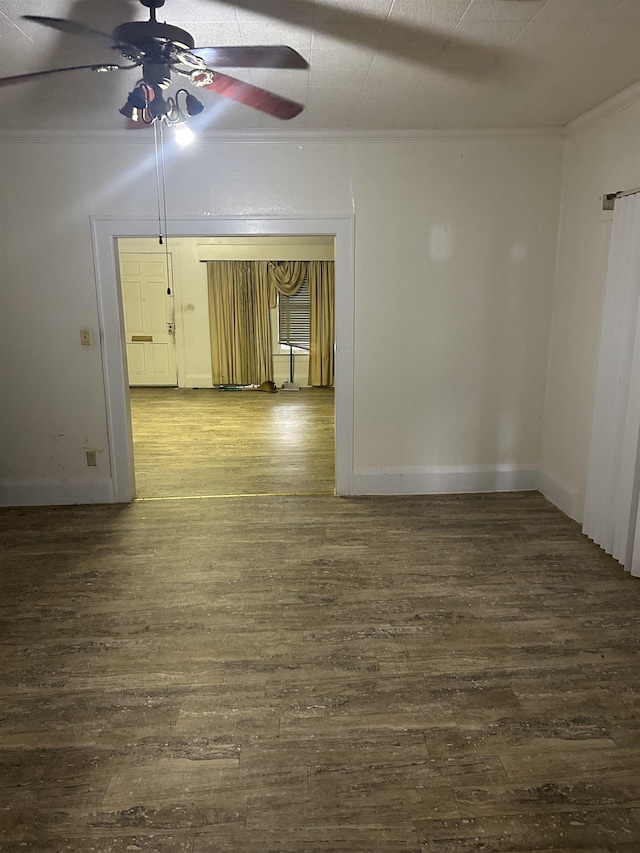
(294, 137)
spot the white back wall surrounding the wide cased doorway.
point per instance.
(454, 257)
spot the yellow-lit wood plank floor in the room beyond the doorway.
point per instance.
(210, 442)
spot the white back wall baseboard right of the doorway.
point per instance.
(444, 480)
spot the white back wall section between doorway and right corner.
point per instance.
(455, 250)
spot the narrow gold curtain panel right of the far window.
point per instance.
(322, 293)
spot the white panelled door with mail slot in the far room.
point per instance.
(148, 319)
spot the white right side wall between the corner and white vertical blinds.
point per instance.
(602, 155)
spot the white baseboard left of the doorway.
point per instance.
(41, 492)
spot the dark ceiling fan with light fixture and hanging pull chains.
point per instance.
(161, 50)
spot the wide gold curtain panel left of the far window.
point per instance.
(239, 323)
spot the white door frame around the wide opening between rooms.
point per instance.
(105, 232)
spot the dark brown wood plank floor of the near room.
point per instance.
(316, 674)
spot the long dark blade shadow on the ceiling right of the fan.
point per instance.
(413, 41)
